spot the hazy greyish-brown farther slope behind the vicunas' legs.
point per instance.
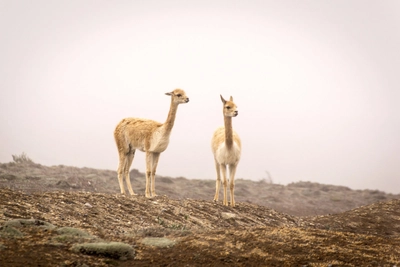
(300, 199)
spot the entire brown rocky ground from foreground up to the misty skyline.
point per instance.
(65, 216)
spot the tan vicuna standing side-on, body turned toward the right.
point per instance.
(148, 136)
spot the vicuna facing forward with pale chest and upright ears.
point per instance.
(226, 147)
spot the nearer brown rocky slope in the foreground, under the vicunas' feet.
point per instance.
(184, 232)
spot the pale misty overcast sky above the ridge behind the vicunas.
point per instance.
(316, 83)
